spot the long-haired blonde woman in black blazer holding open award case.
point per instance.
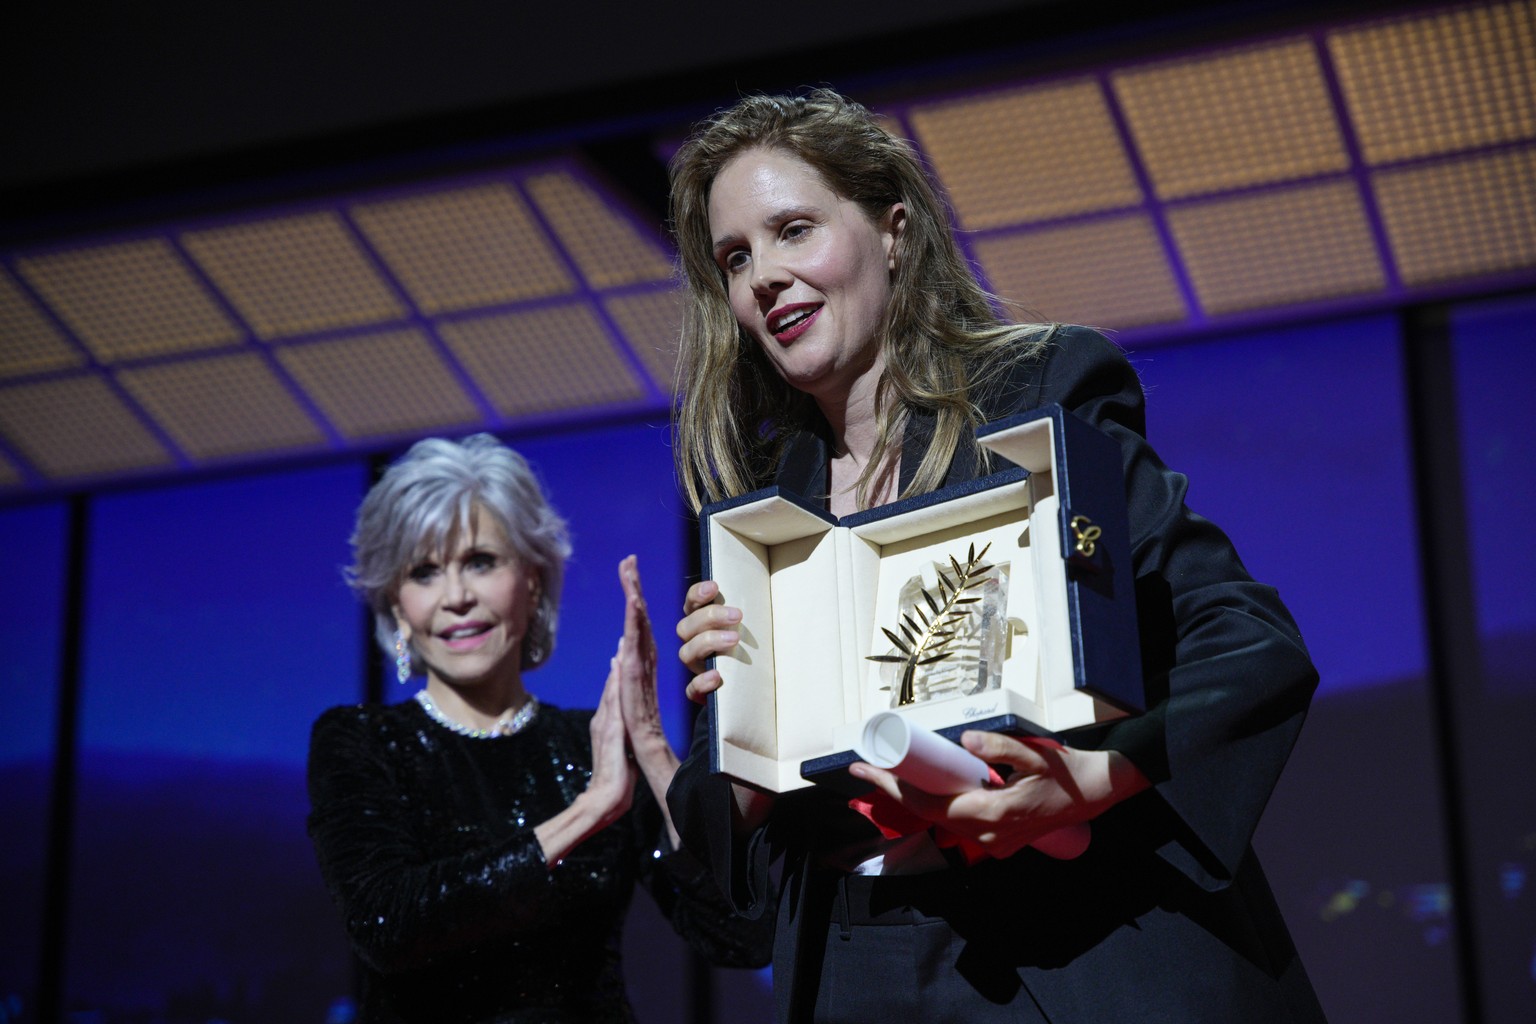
(836, 343)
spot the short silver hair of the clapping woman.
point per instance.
(422, 504)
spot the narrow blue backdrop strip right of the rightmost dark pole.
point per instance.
(1495, 383)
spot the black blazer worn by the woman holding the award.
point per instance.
(1168, 916)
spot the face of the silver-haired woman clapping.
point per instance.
(466, 609)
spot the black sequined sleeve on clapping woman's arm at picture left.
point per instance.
(405, 910)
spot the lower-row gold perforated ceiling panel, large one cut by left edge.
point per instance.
(76, 428)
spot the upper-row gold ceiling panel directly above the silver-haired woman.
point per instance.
(465, 248)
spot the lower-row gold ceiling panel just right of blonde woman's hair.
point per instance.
(1105, 273)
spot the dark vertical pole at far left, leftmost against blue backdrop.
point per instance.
(62, 805)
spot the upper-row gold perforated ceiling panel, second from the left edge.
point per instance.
(130, 300)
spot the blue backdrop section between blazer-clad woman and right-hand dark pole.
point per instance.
(1296, 443)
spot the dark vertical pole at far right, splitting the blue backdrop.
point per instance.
(1449, 603)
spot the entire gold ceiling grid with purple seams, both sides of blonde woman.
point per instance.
(1203, 193)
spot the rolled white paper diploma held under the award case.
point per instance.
(935, 765)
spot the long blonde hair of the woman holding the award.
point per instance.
(941, 335)
